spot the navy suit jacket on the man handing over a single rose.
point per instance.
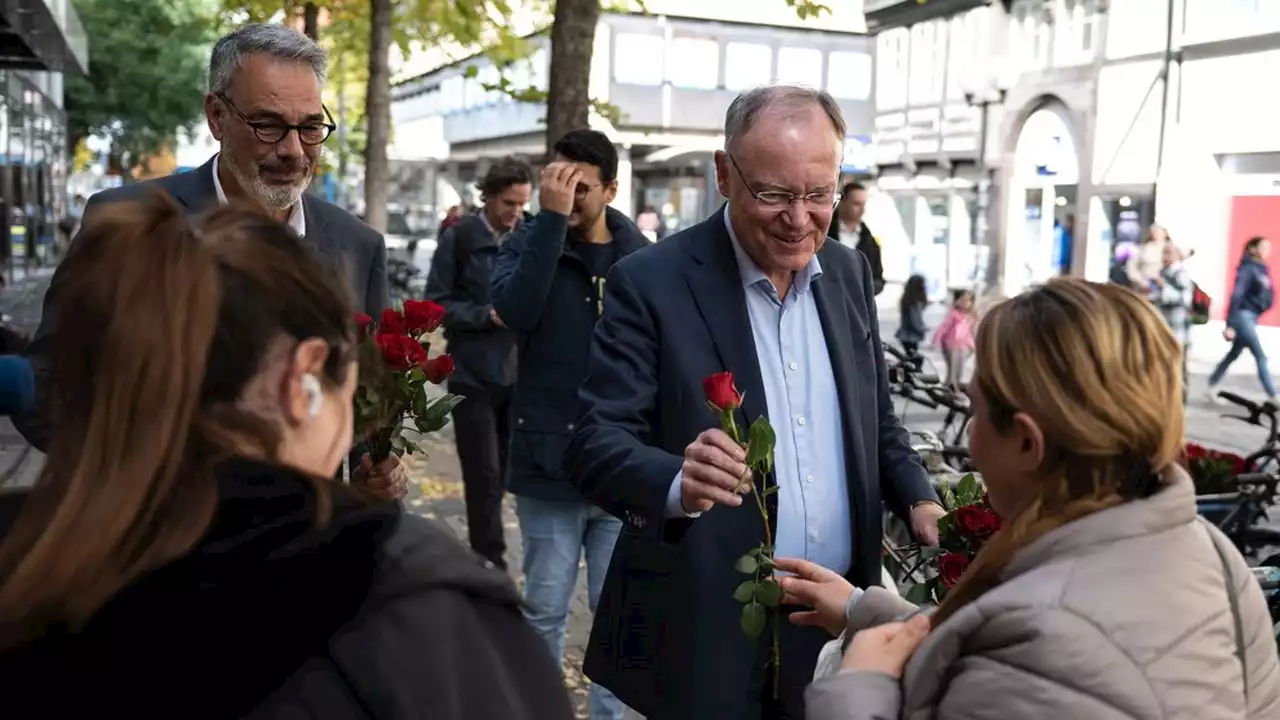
(666, 637)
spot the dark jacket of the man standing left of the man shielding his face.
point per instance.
(461, 267)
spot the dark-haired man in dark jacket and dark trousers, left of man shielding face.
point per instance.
(482, 347)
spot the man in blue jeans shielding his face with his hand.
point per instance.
(547, 286)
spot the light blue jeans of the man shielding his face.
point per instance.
(556, 535)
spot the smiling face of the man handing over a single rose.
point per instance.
(789, 151)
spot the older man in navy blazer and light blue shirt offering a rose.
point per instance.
(755, 290)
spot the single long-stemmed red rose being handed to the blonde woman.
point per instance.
(761, 595)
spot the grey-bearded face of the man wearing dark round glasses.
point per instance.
(266, 95)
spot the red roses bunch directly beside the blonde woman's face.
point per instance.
(968, 525)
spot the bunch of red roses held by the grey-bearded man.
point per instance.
(396, 366)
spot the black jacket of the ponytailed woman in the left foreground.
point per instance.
(380, 616)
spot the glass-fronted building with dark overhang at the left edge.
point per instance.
(40, 42)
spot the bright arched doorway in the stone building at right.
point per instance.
(1043, 200)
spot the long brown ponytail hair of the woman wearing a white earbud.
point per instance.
(162, 322)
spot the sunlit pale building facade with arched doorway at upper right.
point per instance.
(1086, 142)
